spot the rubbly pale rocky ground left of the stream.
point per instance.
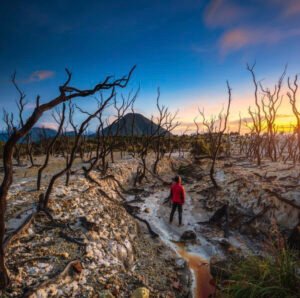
(92, 248)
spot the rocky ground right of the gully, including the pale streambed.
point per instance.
(254, 208)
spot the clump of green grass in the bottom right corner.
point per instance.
(276, 275)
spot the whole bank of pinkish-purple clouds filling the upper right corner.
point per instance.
(244, 26)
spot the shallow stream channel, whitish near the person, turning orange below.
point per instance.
(195, 255)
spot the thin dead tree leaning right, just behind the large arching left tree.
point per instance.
(60, 119)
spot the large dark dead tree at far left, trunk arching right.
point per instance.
(66, 93)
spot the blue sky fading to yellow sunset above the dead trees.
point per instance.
(189, 49)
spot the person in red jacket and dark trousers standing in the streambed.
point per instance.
(177, 195)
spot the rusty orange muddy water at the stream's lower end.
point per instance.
(203, 279)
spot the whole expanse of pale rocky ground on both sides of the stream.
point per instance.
(95, 248)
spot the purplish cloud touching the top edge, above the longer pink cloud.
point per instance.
(221, 13)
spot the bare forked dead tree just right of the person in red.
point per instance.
(216, 130)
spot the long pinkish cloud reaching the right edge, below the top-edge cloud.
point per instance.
(238, 38)
